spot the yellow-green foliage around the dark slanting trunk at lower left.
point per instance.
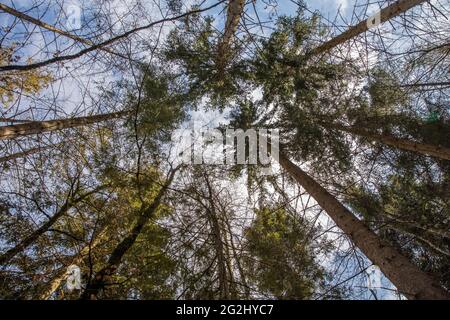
(145, 269)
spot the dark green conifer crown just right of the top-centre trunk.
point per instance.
(280, 67)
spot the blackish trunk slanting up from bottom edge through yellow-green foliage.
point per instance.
(104, 275)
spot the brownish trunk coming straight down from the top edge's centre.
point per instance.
(234, 14)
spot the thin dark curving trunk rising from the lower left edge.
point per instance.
(25, 243)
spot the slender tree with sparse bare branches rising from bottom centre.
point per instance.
(207, 246)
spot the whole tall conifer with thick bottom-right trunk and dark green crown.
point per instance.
(298, 85)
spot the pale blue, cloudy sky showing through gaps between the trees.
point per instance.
(69, 92)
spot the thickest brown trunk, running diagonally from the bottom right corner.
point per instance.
(409, 280)
